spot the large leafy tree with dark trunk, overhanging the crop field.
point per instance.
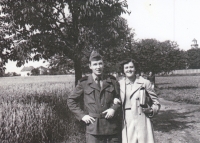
(65, 27)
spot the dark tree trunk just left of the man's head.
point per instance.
(78, 70)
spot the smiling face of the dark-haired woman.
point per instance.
(129, 69)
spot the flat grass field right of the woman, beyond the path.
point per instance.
(179, 88)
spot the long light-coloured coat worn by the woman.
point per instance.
(137, 126)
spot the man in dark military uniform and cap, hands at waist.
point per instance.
(97, 92)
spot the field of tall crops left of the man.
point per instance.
(34, 110)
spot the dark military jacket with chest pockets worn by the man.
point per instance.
(95, 101)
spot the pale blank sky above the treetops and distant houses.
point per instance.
(175, 20)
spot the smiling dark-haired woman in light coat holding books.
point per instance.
(139, 103)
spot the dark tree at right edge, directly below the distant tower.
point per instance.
(193, 58)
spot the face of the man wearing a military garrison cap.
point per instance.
(96, 67)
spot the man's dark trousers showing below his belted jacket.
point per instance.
(102, 138)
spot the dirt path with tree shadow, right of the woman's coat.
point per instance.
(177, 123)
